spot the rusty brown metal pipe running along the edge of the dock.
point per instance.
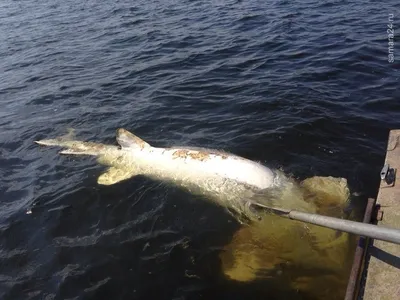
(359, 254)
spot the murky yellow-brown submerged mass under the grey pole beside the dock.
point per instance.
(313, 261)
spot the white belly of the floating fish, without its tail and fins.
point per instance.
(227, 180)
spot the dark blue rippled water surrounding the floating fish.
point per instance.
(301, 85)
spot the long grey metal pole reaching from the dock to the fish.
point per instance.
(369, 230)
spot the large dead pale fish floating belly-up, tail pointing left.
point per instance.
(229, 180)
